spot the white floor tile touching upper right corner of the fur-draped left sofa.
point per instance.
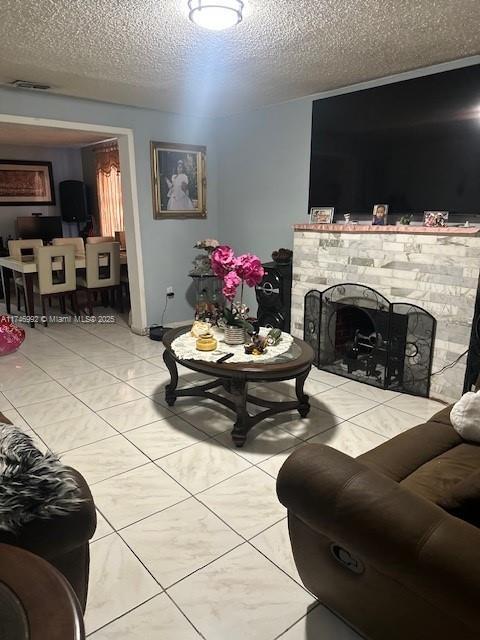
(104, 459)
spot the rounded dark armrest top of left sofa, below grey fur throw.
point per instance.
(55, 536)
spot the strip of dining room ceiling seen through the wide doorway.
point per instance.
(35, 136)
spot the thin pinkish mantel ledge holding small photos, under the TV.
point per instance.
(405, 228)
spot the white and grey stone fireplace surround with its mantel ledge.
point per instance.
(435, 268)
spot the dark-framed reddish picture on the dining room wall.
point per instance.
(25, 182)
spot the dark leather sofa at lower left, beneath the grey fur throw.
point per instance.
(62, 540)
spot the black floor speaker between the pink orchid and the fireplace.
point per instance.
(274, 296)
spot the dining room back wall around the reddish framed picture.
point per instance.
(66, 165)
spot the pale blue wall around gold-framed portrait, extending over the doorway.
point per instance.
(167, 244)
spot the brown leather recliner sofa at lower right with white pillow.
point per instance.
(390, 541)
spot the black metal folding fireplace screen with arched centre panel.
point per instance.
(357, 333)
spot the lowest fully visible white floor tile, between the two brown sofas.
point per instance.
(180, 540)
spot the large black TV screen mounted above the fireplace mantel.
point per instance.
(414, 145)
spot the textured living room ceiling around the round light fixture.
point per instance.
(147, 52)
